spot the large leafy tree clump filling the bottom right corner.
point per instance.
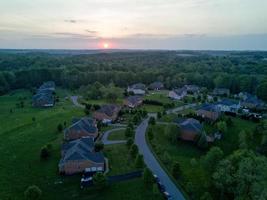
(242, 174)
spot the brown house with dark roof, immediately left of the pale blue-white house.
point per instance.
(209, 112)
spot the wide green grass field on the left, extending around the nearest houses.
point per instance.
(22, 139)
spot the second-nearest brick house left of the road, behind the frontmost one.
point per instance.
(84, 127)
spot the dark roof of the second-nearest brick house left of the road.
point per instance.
(85, 124)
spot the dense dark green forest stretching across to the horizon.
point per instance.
(238, 71)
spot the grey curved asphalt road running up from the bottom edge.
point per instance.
(152, 162)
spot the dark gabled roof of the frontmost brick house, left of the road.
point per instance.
(81, 149)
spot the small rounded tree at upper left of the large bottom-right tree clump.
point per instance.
(212, 158)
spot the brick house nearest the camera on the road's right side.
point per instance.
(191, 129)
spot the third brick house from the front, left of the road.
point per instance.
(107, 113)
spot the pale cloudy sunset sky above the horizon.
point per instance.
(134, 24)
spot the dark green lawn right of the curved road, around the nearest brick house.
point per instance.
(183, 152)
